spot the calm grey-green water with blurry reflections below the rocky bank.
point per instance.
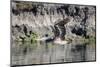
(42, 53)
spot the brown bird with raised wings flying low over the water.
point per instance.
(60, 30)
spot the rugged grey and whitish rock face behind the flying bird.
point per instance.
(39, 17)
